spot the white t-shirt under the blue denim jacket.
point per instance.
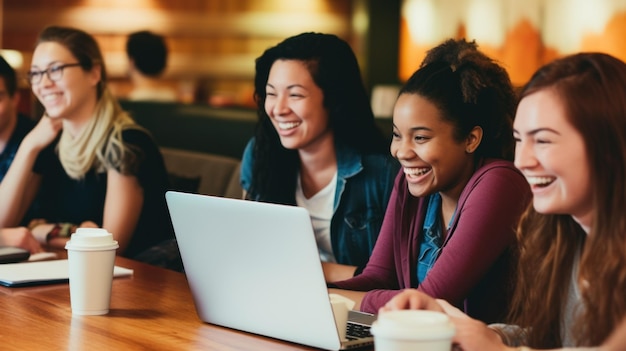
(320, 207)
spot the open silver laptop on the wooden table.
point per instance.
(255, 267)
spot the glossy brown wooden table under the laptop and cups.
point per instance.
(152, 310)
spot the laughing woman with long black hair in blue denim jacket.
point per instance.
(317, 146)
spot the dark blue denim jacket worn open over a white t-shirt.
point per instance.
(364, 184)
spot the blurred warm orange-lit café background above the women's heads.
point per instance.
(213, 43)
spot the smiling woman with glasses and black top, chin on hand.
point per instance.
(88, 162)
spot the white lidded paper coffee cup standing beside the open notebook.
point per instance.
(91, 257)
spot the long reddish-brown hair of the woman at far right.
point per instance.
(592, 89)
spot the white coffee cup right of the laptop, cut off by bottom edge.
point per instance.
(415, 330)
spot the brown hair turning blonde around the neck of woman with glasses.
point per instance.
(99, 145)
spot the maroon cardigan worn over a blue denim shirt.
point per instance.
(473, 271)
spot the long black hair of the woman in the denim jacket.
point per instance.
(335, 70)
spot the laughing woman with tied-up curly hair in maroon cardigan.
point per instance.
(449, 230)
